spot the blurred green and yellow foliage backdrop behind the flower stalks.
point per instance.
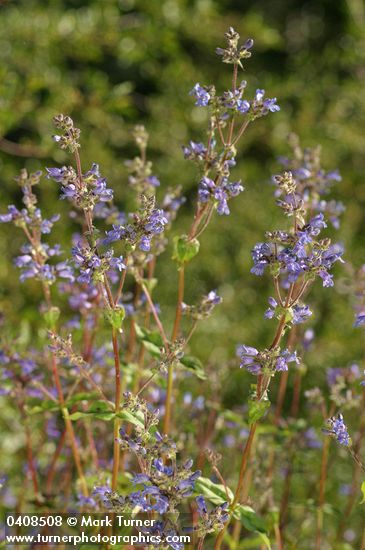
(111, 64)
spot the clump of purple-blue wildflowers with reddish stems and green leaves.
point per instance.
(106, 356)
